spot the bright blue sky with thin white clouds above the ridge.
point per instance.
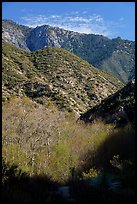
(111, 19)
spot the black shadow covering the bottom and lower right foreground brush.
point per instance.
(18, 186)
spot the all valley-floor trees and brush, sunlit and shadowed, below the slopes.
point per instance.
(44, 148)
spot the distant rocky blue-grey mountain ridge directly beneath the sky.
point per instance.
(114, 56)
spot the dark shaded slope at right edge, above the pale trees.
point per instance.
(118, 108)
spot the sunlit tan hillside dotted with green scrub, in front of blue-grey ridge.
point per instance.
(56, 75)
